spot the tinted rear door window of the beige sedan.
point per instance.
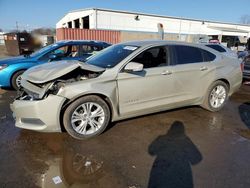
(188, 54)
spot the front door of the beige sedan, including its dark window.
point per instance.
(149, 89)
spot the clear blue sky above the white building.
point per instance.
(46, 13)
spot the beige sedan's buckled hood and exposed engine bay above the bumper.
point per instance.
(41, 81)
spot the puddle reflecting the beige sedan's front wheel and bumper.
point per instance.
(74, 169)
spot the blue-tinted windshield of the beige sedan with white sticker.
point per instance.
(111, 56)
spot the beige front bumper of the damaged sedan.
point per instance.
(42, 115)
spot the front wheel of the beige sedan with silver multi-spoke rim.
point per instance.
(86, 117)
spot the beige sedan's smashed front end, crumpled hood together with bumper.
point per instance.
(37, 106)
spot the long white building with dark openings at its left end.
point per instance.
(95, 18)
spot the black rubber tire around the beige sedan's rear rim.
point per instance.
(207, 104)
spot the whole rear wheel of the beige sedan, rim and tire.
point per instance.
(216, 96)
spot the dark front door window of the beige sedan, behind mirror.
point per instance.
(153, 57)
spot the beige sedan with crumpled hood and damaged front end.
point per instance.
(125, 80)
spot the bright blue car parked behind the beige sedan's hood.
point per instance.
(11, 69)
